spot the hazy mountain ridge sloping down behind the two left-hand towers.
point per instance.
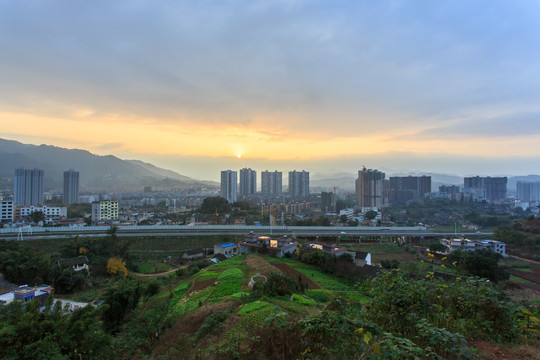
(107, 173)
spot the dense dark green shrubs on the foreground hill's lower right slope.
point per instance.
(405, 319)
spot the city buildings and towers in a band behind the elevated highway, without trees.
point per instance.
(373, 192)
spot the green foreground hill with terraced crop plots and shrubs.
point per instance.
(312, 315)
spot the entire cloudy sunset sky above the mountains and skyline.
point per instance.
(326, 86)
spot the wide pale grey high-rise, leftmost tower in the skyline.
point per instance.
(28, 187)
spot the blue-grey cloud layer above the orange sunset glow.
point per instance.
(334, 66)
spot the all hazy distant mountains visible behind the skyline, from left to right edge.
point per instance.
(109, 173)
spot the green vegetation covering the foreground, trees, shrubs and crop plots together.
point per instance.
(395, 315)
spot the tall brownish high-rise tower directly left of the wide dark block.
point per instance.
(370, 188)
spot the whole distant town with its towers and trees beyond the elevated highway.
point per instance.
(377, 201)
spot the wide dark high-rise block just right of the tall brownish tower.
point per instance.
(405, 188)
